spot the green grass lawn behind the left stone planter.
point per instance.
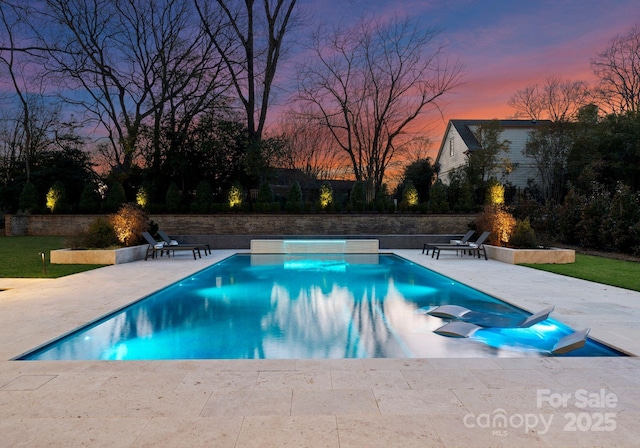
(20, 258)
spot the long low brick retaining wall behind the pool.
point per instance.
(226, 231)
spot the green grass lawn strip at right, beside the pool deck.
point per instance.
(624, 274)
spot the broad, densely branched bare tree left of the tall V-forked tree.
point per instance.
(135, 62)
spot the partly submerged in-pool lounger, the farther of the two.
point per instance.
(460, 313)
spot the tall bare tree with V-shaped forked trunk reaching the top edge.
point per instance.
(250, 38)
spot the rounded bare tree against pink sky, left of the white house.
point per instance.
(368, 83)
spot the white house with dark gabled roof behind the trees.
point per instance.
(459, 142)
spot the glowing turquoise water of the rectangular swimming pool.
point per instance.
(305, 306)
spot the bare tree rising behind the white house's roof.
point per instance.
(557, 100)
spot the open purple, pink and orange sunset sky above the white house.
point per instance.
(505, 45)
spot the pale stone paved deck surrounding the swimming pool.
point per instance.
(436, 402)
